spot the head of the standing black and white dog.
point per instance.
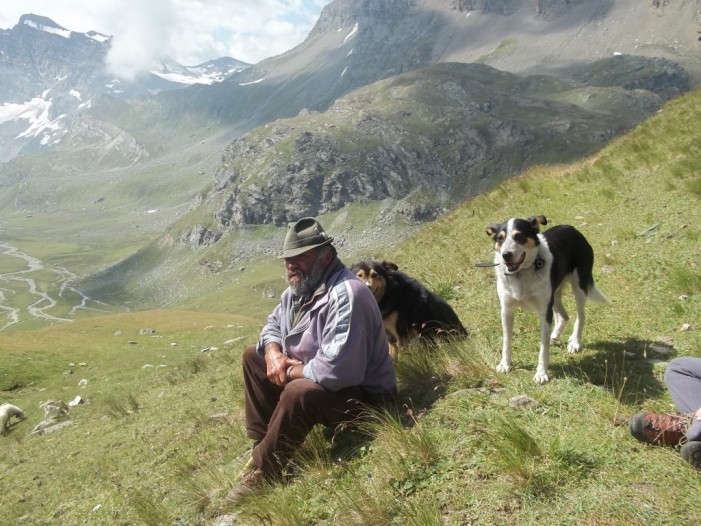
(516, 241)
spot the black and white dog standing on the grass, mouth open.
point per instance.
(532, 268)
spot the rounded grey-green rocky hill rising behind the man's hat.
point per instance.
(427, 139)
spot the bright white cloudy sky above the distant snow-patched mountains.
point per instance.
(189, 31)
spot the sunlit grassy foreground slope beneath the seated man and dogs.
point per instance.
(144, 450)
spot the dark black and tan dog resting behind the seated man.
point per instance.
(408, 308)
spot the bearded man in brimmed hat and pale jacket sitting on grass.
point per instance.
(322, 358)
